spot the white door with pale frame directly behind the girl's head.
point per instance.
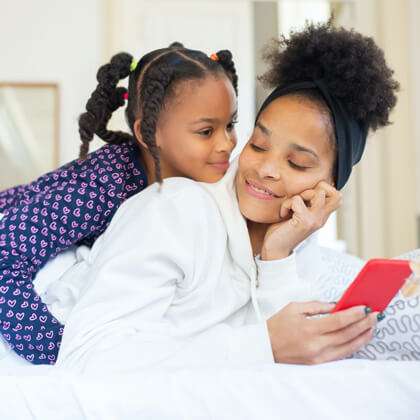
(139, 26)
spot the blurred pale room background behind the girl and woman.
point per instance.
(52, 49)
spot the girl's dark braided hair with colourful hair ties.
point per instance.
(150, 86)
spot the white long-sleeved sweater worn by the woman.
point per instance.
(173, 282)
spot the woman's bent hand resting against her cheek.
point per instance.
(301, 215)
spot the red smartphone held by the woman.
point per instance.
(376, 284)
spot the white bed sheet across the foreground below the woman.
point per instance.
(353, 389)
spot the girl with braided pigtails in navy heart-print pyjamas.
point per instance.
(181, 110)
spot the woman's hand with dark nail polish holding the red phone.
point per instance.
(298, 338)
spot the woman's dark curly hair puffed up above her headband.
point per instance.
(350, 64)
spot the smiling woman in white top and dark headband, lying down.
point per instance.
(176, 277)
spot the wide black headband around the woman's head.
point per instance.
(350, 135)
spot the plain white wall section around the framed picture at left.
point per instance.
(54, 41)
